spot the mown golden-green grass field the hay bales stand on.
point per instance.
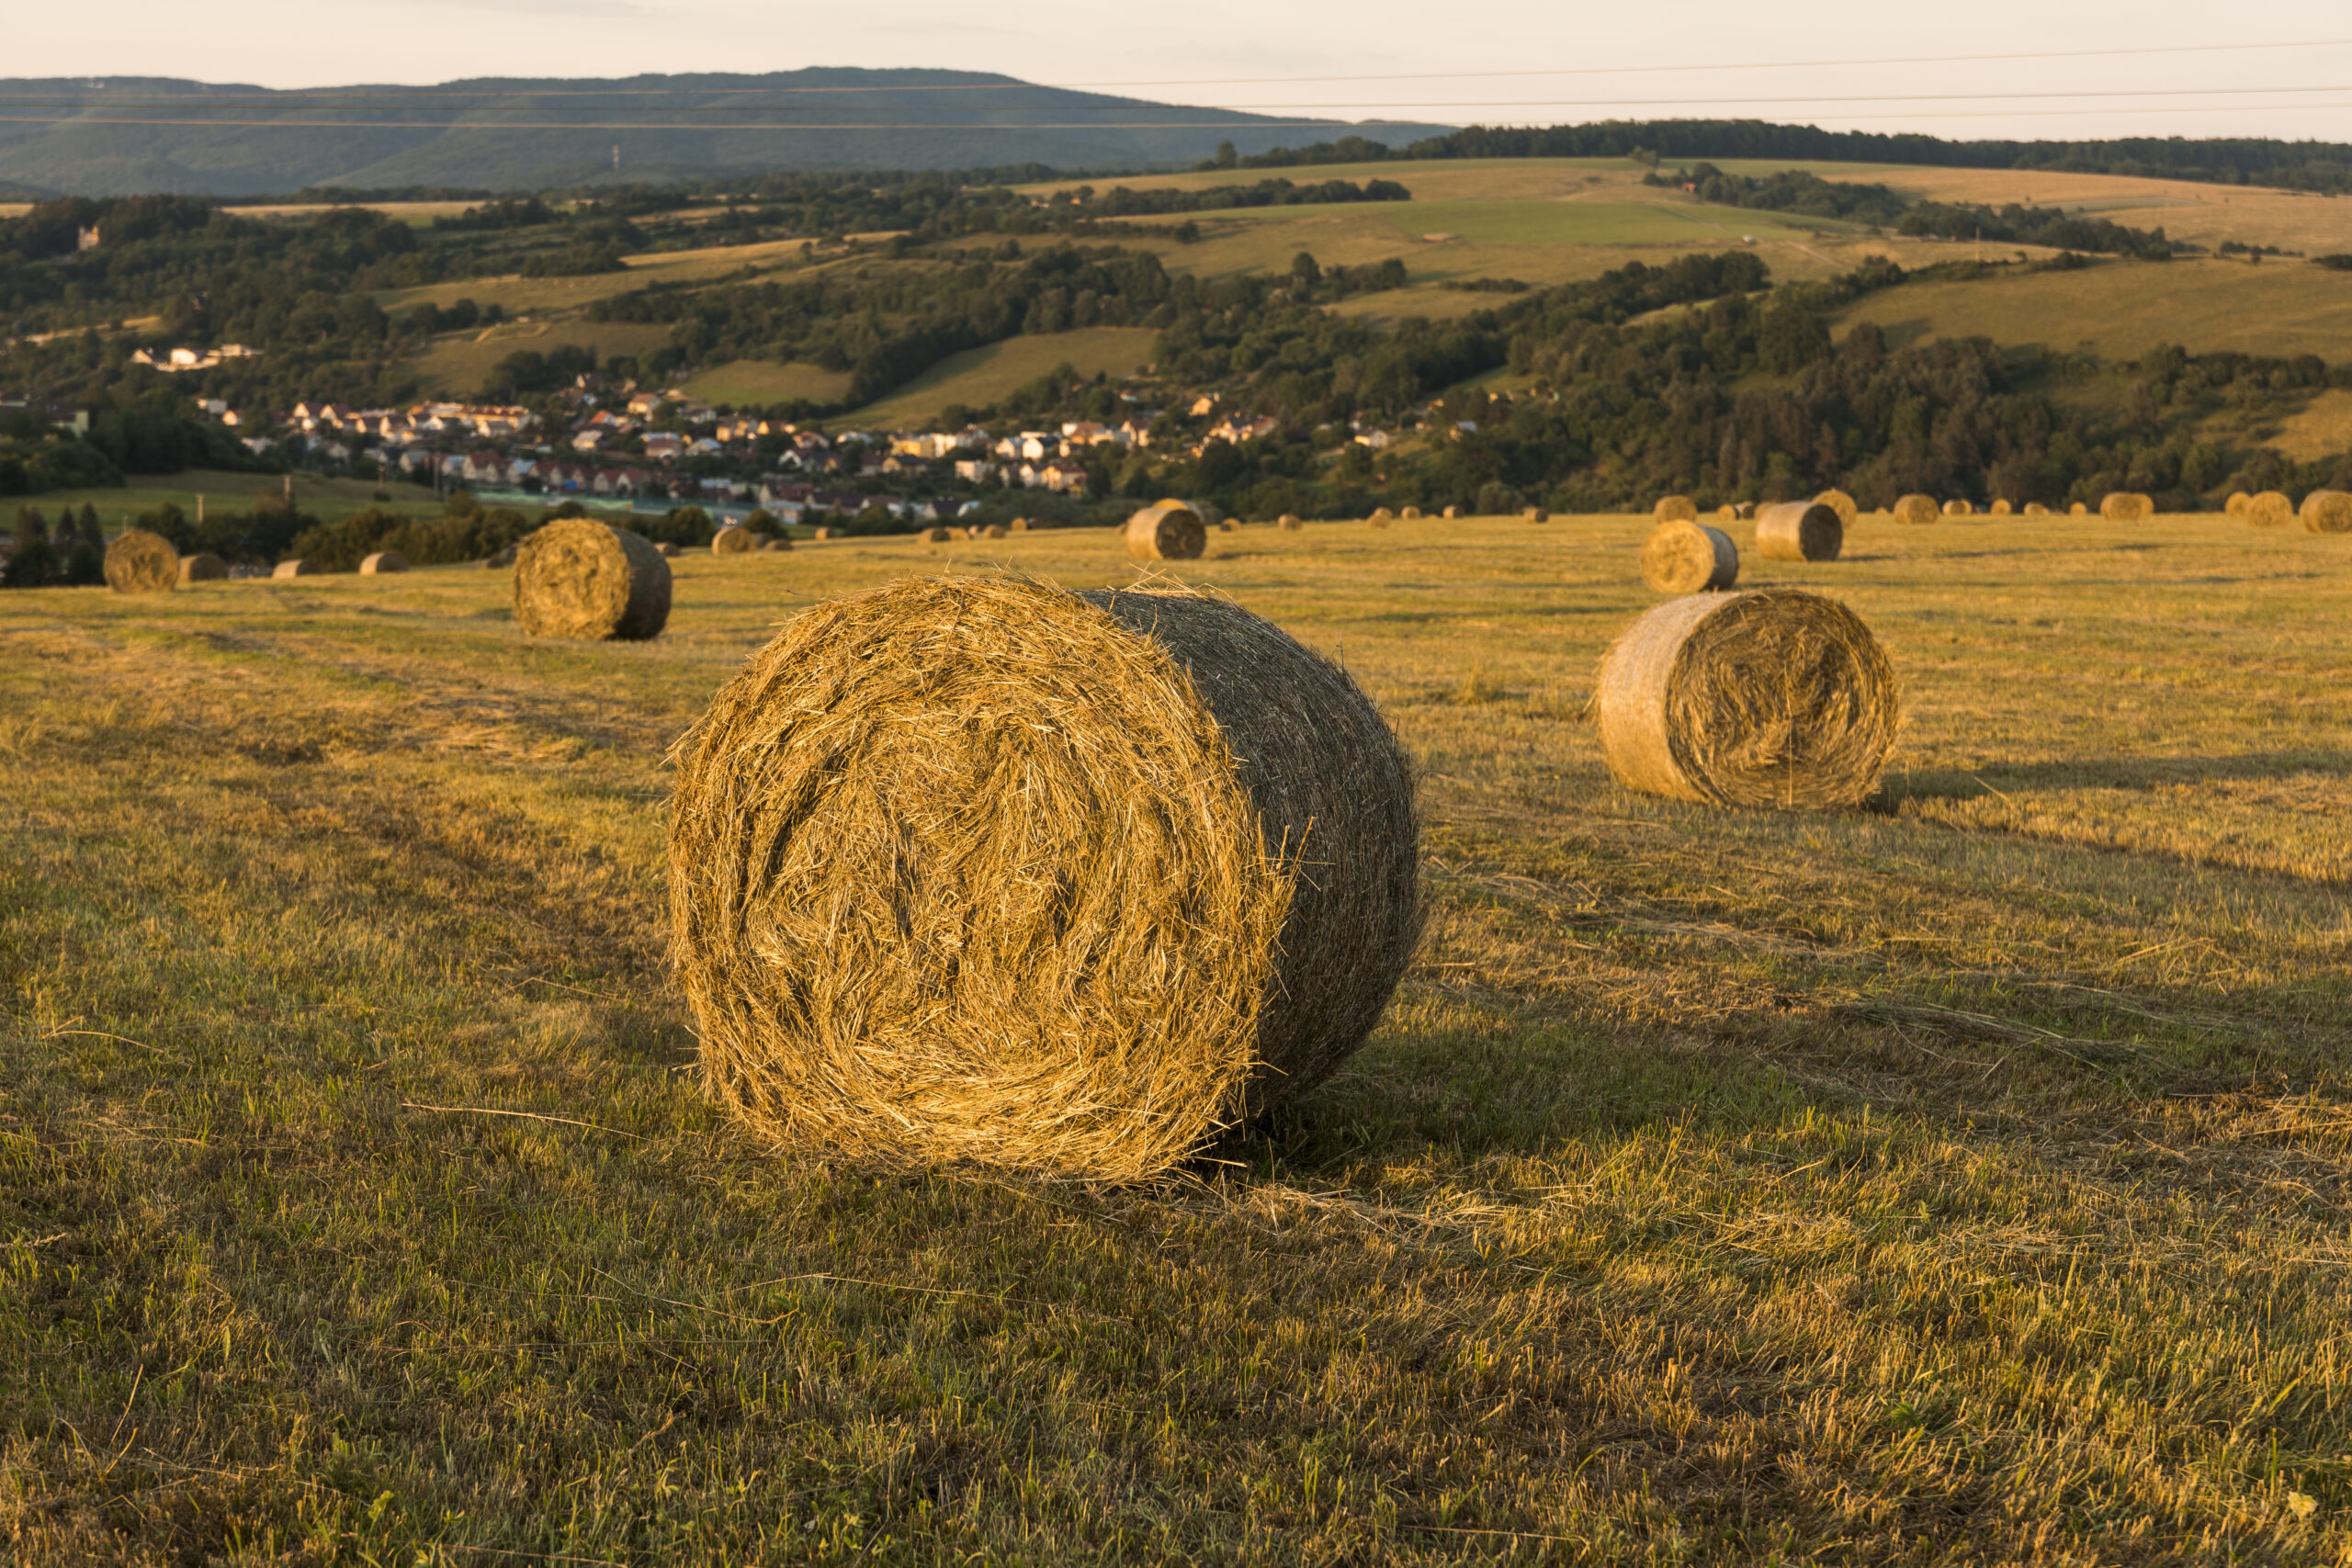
(1963, 1179)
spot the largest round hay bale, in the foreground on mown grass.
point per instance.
(984, 871)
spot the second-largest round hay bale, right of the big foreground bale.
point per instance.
(1751, 699)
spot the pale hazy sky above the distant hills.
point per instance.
(1596, 62)
